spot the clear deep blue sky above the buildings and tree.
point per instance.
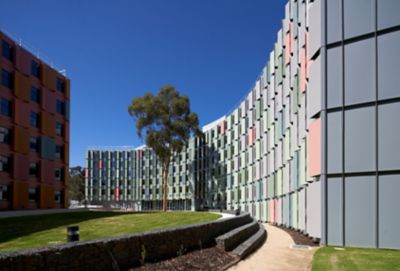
(210, 50)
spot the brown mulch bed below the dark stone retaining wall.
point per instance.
(199, 260)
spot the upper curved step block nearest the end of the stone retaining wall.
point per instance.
(235, 237)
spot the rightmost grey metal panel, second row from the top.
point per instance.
(389, 63)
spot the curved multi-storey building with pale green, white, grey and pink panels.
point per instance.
(314, 145)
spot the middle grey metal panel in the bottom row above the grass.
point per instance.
(360, 210)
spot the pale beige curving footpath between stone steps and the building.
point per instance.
(276, 254)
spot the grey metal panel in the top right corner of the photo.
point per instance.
(388, 13)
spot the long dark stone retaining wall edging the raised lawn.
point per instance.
(121, 252)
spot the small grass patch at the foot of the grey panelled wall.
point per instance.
(354, 259)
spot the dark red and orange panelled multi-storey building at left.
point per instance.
(34, 130)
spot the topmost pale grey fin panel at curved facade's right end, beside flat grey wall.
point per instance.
(315, 17)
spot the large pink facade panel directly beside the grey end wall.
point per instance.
(314, 148)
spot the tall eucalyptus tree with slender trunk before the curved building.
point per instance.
(167, 123)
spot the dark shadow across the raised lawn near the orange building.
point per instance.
(15, 227)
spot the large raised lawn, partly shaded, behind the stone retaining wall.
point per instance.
(40, 230)
